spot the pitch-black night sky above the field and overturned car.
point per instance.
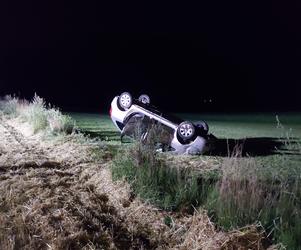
(245, 56)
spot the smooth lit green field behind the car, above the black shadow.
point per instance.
(235, 126)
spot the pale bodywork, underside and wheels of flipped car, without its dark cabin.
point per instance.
(186, 137)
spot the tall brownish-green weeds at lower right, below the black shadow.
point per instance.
(250, 192)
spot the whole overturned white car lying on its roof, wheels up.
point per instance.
(136, 116)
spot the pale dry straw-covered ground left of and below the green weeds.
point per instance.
(54, 195)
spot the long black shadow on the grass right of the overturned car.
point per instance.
(258, 146)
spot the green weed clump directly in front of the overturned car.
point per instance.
(169, 187)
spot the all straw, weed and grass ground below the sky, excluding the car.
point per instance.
(79, 182)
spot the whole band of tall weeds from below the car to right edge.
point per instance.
(246, 191)
